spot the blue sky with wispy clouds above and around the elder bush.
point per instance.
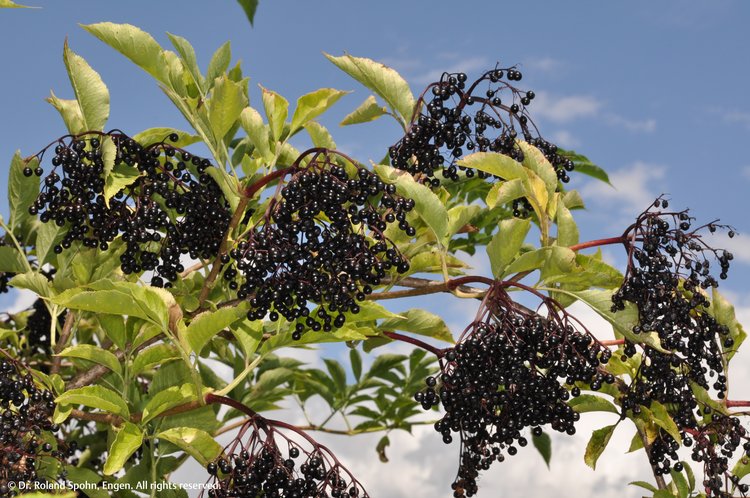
(654, 92)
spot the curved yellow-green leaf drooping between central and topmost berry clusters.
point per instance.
(428, 206)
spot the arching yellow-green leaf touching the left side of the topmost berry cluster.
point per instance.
(382, 80)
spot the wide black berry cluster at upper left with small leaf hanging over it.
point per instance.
(158, 198)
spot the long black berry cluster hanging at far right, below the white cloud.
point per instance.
(668, 271)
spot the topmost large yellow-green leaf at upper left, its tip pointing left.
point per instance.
(135, 44)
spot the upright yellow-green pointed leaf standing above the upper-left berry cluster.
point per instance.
(90, 91)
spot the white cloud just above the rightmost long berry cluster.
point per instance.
(633, 188)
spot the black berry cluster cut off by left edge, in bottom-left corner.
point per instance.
(26, 430)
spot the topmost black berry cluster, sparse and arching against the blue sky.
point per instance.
(488, 115)
